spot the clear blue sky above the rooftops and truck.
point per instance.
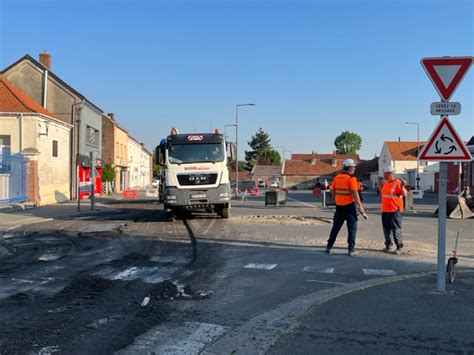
(313, 68)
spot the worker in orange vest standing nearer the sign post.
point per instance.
(393, 191)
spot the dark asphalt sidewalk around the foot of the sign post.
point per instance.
(401, 317)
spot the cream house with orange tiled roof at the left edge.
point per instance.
(34, 150)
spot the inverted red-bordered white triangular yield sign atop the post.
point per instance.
(446, 73)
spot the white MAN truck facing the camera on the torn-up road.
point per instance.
(195, 174)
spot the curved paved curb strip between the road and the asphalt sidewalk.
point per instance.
(258, 334)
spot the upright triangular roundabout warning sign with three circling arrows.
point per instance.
(445, 145)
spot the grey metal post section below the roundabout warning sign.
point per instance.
(443, 175)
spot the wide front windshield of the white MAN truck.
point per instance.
(196, 153)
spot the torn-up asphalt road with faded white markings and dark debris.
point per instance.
(81, 284)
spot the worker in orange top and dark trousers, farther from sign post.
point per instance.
(344, 190)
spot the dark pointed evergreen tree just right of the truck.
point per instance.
(261, 151)
